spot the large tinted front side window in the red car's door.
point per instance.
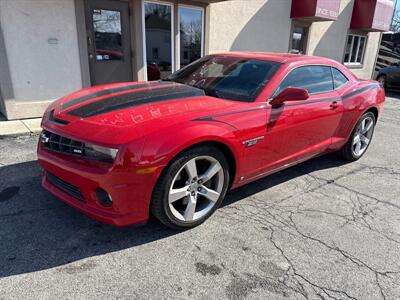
(315, 79)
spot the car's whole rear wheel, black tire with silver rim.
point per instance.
(360, 138)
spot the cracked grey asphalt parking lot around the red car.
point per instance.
(321, 230)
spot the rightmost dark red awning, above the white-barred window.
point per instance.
(372, 15)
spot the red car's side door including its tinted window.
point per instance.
(297, 130)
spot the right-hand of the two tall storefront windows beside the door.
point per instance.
(191, 34)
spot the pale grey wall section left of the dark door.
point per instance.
(39, 70)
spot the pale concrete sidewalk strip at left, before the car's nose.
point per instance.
(20, 127)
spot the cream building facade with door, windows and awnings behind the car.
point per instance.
(50, 48)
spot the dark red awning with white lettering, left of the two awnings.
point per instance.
(315, 10)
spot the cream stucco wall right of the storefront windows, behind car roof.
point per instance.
(265, 25)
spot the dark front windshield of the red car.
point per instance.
(228, 77)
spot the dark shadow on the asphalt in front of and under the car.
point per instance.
(38, 232)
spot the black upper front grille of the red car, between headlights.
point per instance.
(58, 143)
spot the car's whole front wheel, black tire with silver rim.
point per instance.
(191, 187)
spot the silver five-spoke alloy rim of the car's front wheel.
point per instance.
(196, 188)
